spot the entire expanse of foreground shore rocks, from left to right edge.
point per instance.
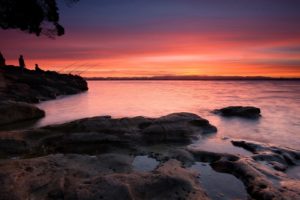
(93, 158)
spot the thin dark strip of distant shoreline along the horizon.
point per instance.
(190, 78)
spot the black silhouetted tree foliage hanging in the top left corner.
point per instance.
(32, 16)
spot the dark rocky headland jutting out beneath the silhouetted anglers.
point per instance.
(19, 87)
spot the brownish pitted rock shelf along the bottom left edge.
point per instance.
(77, 177)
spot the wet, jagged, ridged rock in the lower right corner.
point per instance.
(262, 179)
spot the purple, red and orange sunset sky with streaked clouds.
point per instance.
(167, 37)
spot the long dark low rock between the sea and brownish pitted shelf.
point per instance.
(104, 134)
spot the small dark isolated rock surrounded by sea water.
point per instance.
(239, 111)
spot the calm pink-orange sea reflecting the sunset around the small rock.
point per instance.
(278, 100)
